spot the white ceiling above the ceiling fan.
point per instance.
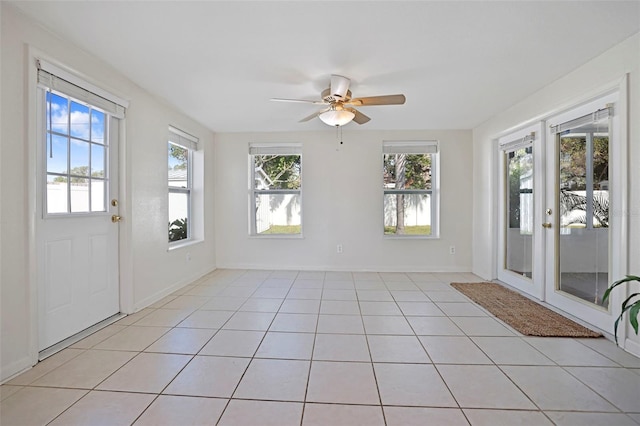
(458, 63)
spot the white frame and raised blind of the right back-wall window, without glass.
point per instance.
(423, 147)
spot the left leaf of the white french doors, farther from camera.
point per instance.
(520, 262)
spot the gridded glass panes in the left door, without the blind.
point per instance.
(76, 156)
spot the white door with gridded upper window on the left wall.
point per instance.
(77, 239)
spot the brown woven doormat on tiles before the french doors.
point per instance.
(524, 315)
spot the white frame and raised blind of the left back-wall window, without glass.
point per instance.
(285, 149)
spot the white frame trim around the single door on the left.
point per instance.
(34, 194)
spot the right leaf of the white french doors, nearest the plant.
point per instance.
(581, 191)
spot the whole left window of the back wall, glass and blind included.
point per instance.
(275, 185)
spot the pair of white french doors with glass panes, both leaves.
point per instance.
(559, 239)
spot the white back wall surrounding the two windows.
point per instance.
(342, 204)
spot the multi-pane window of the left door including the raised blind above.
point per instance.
(77, 150)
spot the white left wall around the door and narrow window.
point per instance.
(148, 270)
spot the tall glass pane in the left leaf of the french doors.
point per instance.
(519, 211)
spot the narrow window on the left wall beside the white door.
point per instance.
(180, 155)
